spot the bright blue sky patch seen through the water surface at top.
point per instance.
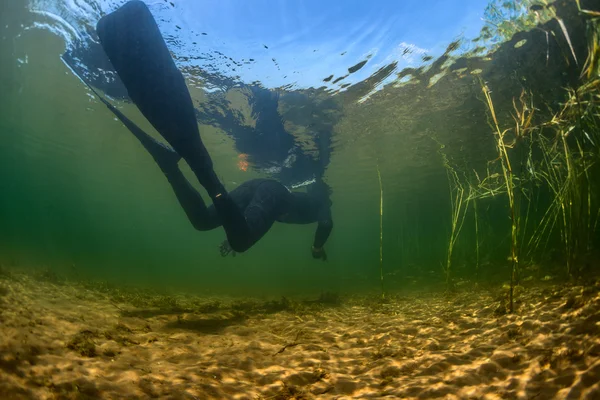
(309, 41)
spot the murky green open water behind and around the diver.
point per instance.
(81, 196)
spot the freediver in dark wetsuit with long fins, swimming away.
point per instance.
(131, 39)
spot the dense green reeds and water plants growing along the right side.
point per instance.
(547, 171)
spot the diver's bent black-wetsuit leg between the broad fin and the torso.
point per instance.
(270, 200)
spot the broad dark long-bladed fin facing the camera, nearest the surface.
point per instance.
(131, 39)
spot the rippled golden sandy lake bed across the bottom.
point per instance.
(68, 341)
